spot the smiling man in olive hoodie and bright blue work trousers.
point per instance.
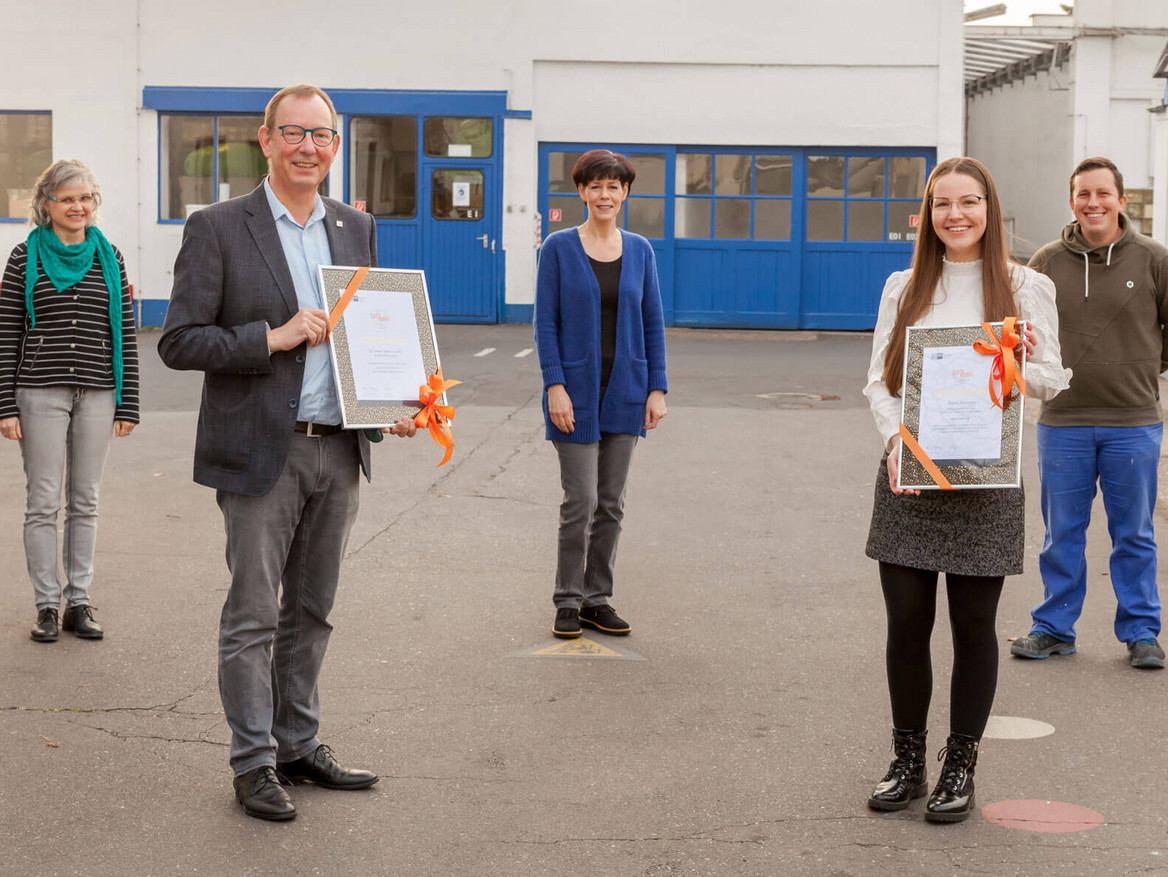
(1113, 294)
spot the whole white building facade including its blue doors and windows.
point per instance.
(781, 148)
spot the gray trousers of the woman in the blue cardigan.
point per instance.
(594, 478)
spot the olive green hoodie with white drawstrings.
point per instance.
(1113, 310)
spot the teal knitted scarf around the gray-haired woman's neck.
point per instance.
(66, 266)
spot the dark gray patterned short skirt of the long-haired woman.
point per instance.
(971, 533)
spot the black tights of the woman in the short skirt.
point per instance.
(910, 598)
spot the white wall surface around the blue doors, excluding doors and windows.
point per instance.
(738, 72)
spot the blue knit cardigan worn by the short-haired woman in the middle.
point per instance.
(568, 337)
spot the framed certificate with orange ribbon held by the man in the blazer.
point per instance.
(384, 343)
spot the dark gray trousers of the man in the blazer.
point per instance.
(273, 639)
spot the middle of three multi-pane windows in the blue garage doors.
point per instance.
(733, 196)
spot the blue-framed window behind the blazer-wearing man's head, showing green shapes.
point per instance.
(204, 159)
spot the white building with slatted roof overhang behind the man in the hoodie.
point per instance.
(1042, 99)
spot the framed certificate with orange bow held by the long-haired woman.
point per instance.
(962, 413)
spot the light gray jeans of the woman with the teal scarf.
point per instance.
(66, 437)
